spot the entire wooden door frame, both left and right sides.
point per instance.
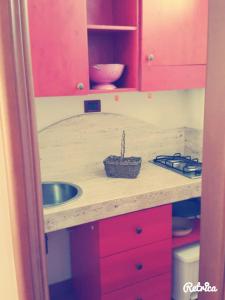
(19, 152)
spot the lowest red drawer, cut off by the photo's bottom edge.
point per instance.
(157, 288)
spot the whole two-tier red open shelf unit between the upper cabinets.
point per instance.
(112, 27)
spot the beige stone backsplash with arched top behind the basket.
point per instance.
(79, 144)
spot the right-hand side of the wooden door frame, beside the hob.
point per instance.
(212, 256)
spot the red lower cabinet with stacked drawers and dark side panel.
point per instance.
(131, 262)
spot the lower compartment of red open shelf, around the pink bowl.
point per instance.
(115, 47)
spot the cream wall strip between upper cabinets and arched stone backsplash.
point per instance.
(164, 109)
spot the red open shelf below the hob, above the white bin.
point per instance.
(191, 238)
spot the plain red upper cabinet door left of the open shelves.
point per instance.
(58, 36)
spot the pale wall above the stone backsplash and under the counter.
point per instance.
(164, 109)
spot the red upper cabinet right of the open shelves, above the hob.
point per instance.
(173, 44)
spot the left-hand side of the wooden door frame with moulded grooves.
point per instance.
(19, 152)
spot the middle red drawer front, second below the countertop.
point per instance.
(130, 267)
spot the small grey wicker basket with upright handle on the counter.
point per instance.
(120, 166)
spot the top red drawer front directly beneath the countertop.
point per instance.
(134, 230)
